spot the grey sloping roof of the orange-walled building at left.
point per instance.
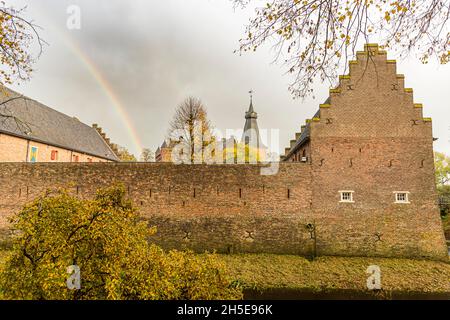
(42, 124)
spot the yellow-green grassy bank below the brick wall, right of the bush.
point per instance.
(265, 271)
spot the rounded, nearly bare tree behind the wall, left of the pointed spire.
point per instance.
(191, 129)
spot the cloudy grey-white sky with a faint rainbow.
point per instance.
(132, 62)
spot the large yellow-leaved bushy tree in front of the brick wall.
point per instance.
(107, 240)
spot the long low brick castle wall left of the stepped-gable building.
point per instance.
(203, 207)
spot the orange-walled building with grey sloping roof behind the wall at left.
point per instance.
(33, 132)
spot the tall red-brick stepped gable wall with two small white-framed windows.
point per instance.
(375, 142)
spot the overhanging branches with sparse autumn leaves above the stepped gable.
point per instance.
(316, 38)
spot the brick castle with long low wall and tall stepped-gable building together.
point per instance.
(358, 180)
